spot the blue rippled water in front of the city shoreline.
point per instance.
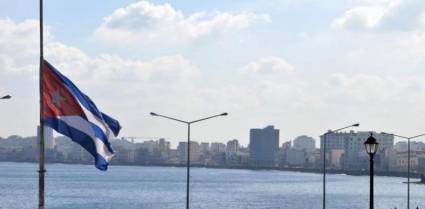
(123, 187)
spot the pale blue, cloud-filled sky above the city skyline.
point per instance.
(304, 66)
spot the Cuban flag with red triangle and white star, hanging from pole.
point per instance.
(73, 114)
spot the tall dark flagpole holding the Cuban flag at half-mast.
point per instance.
(41, 170)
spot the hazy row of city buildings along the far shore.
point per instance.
(345, 152)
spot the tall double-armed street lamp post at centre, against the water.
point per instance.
(188, 123)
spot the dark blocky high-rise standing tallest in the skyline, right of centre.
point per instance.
(263, 146)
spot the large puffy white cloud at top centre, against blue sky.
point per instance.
(144, 21)
